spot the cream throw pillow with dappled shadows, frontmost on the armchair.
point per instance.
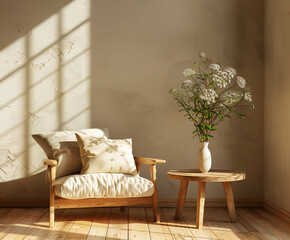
(103, 155)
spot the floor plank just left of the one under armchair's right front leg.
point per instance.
(138, 227)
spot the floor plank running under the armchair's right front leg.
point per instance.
(158, 231)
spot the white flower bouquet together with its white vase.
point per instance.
(209, 94)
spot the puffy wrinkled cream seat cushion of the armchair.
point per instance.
(103, 185)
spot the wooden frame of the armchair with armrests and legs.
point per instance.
(61, 203)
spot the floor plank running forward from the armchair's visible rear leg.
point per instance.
(118, 224)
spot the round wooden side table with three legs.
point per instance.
(224, 176)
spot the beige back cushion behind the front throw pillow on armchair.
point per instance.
(63, 146)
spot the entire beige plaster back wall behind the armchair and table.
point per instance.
(110, 64)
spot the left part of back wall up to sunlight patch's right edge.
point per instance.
(41, 80)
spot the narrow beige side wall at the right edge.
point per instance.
(277, 98)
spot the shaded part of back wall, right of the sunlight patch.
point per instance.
(140, 51)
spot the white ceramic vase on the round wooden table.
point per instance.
(204, 158)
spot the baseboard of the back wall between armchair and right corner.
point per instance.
(213, 202)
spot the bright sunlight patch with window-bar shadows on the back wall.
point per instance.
(44, 86)
